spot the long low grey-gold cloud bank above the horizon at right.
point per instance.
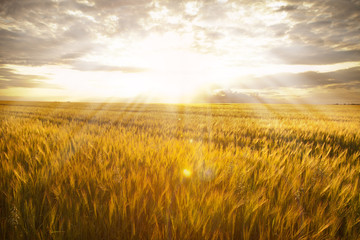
(342, 86)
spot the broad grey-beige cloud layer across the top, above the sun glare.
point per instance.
(45, 32)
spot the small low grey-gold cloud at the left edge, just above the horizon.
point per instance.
(8, 78)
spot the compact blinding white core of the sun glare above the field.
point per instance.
(173, 72)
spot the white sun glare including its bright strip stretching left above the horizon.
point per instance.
(172, 71)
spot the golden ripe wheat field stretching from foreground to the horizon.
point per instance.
(179, 171)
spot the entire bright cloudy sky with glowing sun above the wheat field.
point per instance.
(180, 51)
